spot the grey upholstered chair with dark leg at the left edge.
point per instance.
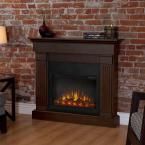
(3, 121)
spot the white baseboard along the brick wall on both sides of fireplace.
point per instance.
(26, 108)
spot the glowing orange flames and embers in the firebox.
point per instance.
(75, 99)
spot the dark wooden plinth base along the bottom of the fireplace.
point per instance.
(77, 118)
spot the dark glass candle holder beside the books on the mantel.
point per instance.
(111, 32)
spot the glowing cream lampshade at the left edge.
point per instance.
(3, 35)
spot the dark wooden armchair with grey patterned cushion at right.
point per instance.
(136, 127)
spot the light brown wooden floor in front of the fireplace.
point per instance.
(26, 131)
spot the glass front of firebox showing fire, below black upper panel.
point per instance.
(74, 94)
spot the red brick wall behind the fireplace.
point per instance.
(70, 18)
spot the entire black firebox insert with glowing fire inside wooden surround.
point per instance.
(74, 87)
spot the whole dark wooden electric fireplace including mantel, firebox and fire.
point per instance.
(76, 80)
